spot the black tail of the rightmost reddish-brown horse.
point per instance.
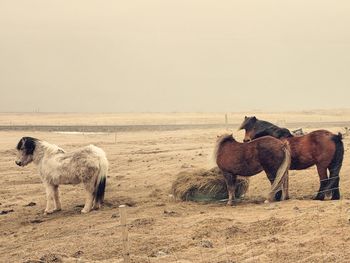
(335, 166)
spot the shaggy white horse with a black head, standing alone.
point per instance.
(88, 165)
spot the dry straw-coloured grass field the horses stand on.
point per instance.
(143, 165)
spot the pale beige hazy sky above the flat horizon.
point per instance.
(179, 55)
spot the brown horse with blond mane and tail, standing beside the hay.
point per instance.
(248, 159)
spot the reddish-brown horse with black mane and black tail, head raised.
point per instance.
(321, 148)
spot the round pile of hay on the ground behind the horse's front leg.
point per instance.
(205, 185)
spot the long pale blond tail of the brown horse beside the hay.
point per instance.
(282, 173)
